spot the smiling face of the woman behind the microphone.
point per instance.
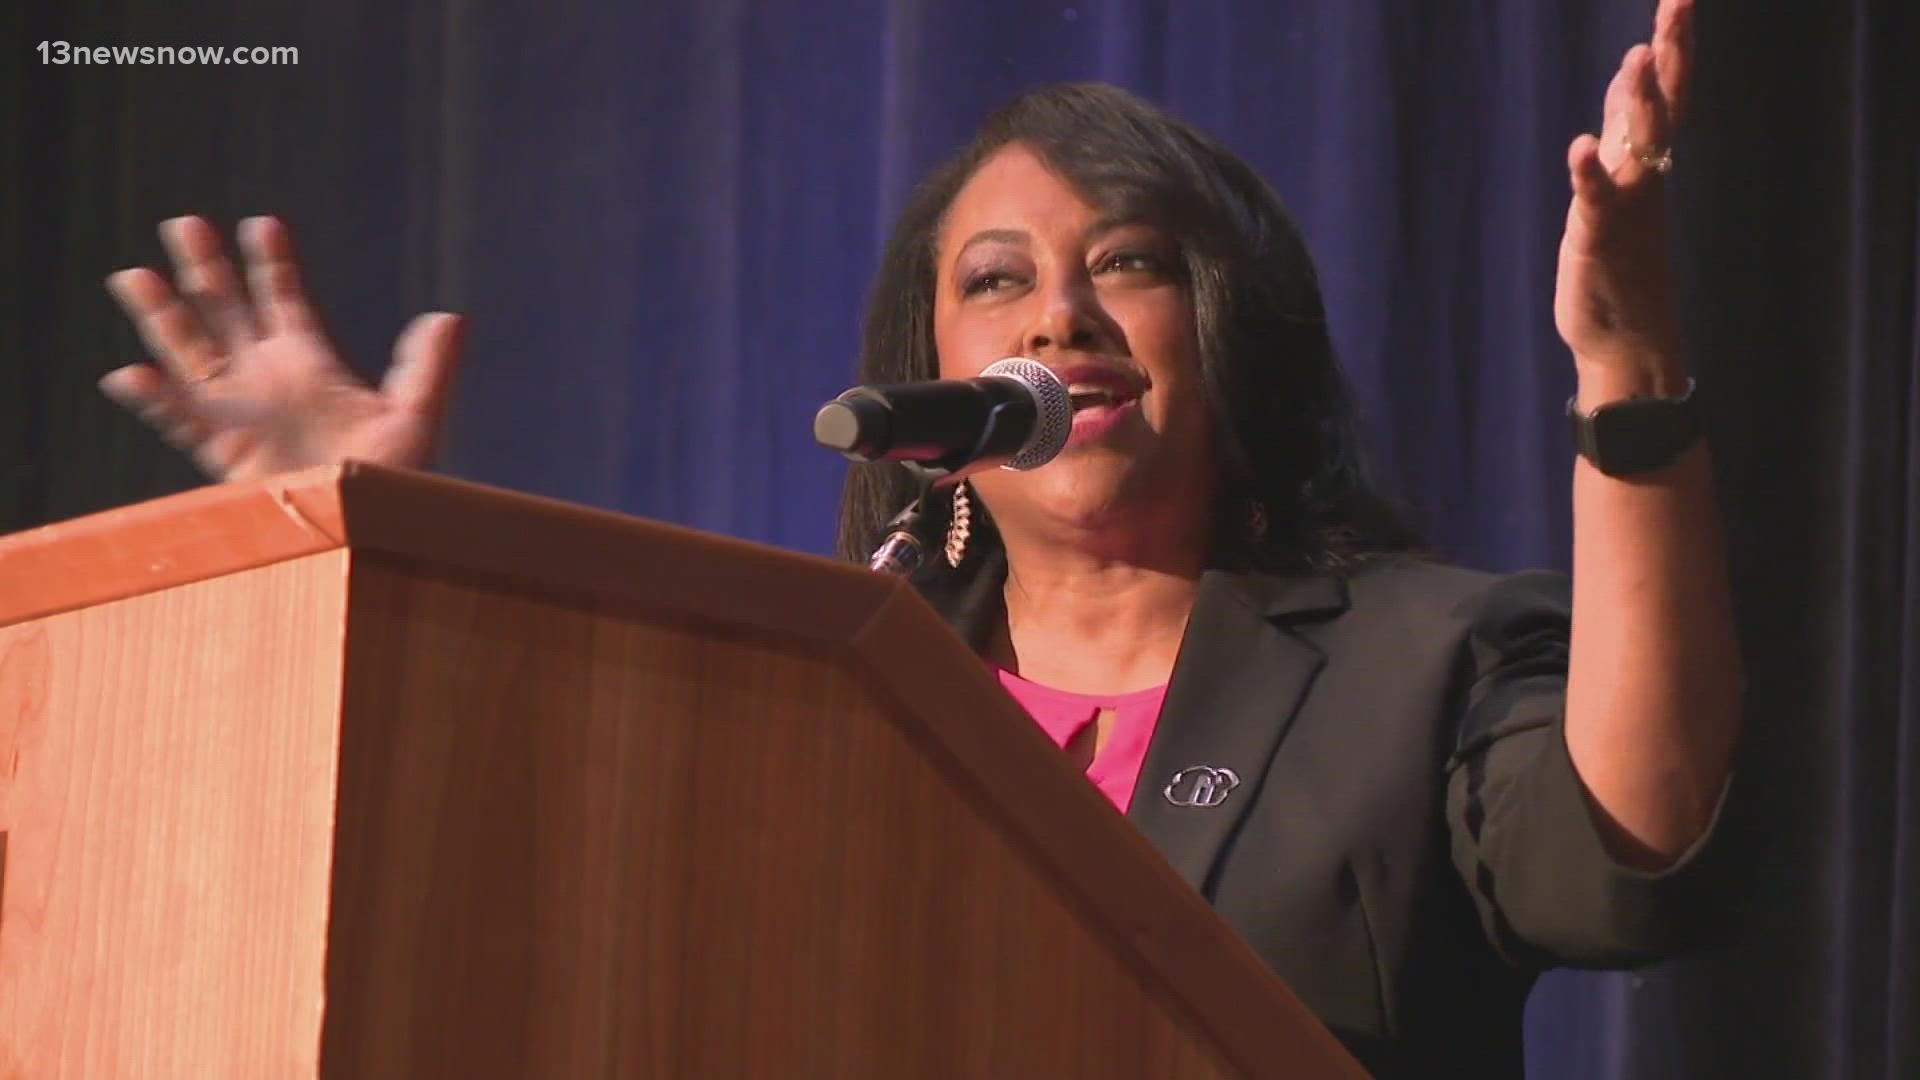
(1028, 268)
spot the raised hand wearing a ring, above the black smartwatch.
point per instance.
(1616, 301)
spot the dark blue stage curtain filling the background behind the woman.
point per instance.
(663, 218)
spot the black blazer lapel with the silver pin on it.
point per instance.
(1237, 685)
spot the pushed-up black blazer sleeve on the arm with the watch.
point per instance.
(1524, 835)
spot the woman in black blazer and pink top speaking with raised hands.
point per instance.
(1410, 787)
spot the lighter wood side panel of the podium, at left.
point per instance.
(166, 795)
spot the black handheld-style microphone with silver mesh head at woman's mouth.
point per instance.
(1017, 414)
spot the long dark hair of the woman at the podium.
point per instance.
(1285, 428)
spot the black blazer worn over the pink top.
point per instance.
(1408, 845)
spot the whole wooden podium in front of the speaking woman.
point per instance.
(372, 773)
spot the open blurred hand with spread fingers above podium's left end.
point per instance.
(252, 387)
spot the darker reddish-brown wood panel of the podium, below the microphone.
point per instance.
(640, 850)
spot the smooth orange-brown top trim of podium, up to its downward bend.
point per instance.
(429, 520)
